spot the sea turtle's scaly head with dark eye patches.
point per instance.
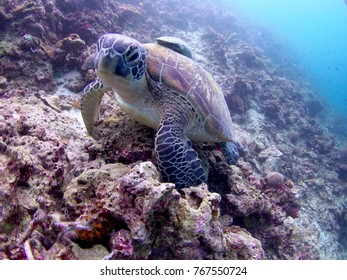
(120, 59)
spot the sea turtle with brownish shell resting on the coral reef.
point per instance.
(167, 91)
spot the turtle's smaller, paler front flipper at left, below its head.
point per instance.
(90, 103)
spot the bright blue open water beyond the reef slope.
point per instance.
(315, 32)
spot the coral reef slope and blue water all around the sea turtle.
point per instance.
(65, 195)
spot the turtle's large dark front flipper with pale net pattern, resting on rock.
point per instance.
(178, 162)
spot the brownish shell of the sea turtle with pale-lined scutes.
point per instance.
(196, 84)
